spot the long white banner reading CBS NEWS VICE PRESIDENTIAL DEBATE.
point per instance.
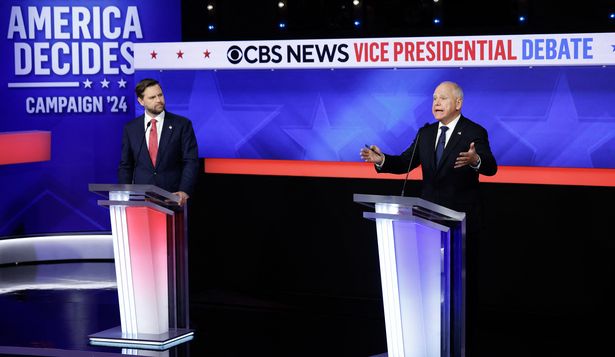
(470, 51)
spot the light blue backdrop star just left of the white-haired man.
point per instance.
(322, 140)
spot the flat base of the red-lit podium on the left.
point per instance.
(114, 337)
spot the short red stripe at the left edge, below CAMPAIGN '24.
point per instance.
(25, 146)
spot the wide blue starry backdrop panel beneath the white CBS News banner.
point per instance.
(542, 116)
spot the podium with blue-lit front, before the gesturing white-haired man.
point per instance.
(421, 248)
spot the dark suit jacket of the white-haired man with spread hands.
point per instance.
(457, 189)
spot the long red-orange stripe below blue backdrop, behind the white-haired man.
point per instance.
(506, 174)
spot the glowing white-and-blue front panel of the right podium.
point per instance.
(414, 264)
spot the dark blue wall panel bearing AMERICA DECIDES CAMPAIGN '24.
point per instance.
(67, 68)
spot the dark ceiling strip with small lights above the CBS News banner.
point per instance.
(259, 19)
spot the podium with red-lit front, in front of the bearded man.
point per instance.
(150, 248)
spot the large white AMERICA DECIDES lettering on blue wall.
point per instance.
(60, 40)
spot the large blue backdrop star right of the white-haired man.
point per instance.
(560, 137)
